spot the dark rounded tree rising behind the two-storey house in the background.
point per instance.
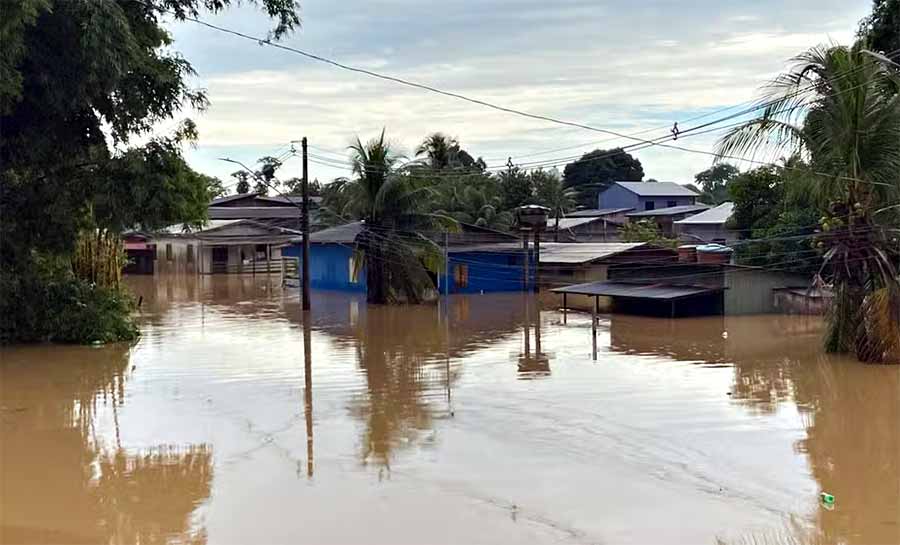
(597, 170)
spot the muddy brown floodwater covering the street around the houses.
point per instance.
(436, 425)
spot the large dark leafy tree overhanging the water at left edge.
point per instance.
(72, 76)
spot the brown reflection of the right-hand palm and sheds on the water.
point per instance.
(851, 411)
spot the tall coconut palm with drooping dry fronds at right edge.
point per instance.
(838, 108)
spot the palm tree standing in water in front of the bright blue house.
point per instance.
(393, 206)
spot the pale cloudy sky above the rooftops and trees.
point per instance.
(621, 65)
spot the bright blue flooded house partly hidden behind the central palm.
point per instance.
(480, 260)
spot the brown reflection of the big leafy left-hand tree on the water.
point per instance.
(61, 482)
